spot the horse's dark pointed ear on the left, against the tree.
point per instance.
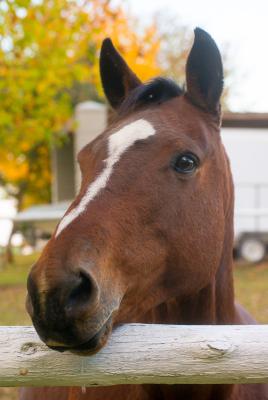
(116, 76)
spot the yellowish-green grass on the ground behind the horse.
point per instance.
(251, 283)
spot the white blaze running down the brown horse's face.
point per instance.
(118, 143)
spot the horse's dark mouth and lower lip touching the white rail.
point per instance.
(91, 346)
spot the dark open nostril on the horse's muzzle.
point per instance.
(82, 293)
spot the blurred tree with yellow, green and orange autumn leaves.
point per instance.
(48, 57)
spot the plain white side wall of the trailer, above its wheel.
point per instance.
(248, 152)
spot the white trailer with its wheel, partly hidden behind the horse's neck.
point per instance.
(247, 148)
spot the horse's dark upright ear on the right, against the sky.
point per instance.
(204, 73)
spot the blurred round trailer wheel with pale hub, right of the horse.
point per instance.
(252, 249)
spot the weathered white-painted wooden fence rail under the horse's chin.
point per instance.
(138, 354)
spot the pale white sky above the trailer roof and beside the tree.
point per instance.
(242, 25)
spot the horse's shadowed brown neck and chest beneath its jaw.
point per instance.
(214, 304)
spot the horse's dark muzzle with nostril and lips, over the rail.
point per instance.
(70, 314)
